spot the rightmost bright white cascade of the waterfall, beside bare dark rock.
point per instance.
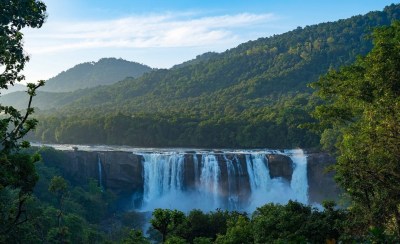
(299, 183)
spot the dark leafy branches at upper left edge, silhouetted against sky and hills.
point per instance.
(15, 15)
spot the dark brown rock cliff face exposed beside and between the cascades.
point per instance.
(122, 172)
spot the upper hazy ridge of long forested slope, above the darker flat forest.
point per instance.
(252, 75)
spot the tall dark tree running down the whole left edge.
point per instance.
(14, 125)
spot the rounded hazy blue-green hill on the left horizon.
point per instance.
(104, 72)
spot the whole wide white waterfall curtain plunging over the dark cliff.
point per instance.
(246, 188)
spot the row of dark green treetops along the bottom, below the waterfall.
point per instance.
(271, 223)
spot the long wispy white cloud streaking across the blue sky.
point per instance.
(164, 30)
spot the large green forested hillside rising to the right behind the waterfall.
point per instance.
(254, 95)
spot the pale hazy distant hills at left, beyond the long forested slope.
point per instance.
(58, 90)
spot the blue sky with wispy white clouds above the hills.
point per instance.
(162, 33)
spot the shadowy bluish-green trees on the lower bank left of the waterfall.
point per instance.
(61, 211)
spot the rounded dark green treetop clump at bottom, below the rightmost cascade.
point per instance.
(296, 223)
